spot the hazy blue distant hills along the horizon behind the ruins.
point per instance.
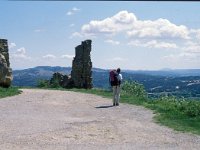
(171, 82)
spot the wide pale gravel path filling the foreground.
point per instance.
(57, 120)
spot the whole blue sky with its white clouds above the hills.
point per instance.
(129, 35)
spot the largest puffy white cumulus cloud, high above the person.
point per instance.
(128, 23)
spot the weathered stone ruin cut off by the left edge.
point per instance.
(5, 70)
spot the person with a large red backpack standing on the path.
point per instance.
(115, 82)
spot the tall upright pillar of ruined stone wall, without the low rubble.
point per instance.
(81, 73)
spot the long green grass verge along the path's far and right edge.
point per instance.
(179, 115)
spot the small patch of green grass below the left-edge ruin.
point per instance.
(11, 91)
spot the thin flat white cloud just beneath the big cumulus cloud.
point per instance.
(153, 44)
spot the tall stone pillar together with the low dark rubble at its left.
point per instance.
(81, 74)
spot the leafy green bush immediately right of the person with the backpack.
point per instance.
(132, 88)
